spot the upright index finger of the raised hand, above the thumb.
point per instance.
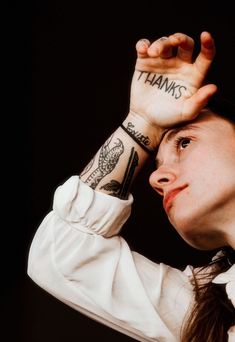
(207, 53)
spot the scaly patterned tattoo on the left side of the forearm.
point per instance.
(107, 161)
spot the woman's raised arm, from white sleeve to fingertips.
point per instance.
(77, 254)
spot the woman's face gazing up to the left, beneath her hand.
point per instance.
(196, 176)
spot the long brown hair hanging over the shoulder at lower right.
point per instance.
(213, 313)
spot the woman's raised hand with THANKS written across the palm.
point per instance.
(167, 83)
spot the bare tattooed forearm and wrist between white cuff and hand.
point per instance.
(121, 157)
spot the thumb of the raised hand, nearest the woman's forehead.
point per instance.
(198, 101)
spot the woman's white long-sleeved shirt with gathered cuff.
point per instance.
(78, 257)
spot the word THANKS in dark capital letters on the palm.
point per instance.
(163, 83)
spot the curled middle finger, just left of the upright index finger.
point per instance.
(185, 45)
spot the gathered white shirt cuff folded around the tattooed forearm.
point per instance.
(85, 208)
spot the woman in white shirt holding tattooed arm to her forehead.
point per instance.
(193, 144)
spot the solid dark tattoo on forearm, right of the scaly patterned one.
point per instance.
(121, 190)
